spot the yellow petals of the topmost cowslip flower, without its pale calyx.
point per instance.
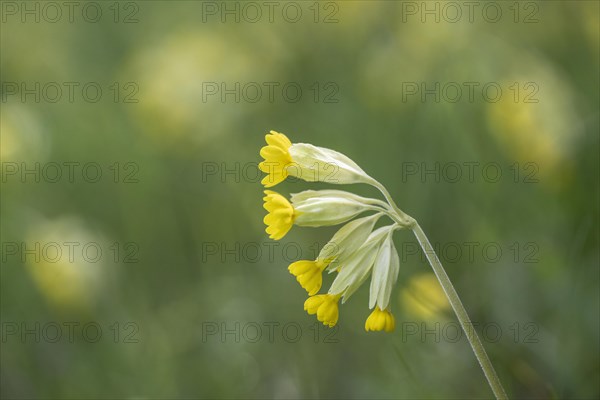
(277, 158)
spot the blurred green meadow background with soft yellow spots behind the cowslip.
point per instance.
(190, 299)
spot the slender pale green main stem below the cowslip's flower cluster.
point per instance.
(461, 313)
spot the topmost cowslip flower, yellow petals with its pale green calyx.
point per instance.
(282, 158)
